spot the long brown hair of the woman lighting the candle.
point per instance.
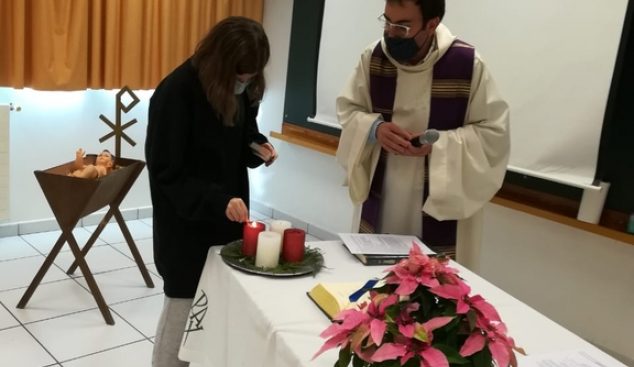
(236, 45)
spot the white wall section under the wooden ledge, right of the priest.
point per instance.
(583, 281)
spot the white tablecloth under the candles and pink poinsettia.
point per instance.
(257, 321)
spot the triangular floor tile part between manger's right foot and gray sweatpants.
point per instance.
(142, 313)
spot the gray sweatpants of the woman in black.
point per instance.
(169, 333)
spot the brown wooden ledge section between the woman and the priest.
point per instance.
(307, 138)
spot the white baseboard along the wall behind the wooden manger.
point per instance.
(49, 225)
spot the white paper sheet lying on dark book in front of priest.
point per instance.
(381, 244)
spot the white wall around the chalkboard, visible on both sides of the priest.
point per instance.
(582, 281)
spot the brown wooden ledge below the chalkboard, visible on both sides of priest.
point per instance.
(544, 205)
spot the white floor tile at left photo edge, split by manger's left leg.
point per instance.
(19, 273)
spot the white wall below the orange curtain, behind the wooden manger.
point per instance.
(48, 131)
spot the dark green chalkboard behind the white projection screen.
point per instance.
(616, 153)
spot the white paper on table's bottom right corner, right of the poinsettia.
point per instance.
(576, 358)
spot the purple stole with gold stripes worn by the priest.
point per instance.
(451, 88)
